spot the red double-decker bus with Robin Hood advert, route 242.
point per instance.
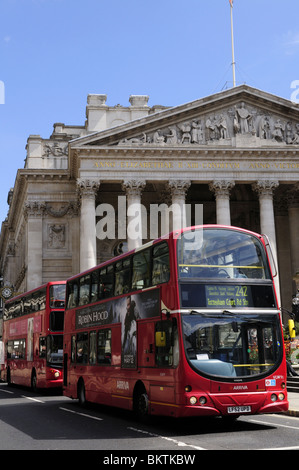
(187, 325)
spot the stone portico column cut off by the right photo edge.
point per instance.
(293, 210)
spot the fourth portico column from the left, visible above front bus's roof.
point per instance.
(222, 191)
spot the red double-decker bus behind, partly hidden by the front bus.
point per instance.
(33, 337)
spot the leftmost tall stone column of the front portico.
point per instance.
(88, 253)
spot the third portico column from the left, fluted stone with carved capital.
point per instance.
(178, 189)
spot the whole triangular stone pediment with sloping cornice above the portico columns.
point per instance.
(238, 117)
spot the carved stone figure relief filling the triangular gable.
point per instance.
(239, 121)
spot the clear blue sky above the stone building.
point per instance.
(54, 52)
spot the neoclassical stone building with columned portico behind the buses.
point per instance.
(235, 152)
